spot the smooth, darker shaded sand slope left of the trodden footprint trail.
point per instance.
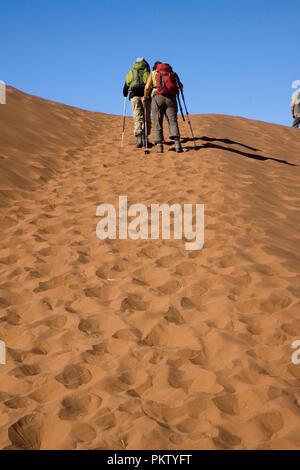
(34, 133)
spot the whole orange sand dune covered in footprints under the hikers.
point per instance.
(142, 344)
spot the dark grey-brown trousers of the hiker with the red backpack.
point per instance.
(164, 105)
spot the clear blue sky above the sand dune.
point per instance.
(236, 57)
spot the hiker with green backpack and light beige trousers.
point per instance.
(134, 85)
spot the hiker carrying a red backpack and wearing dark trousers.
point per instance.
(164, 84)
